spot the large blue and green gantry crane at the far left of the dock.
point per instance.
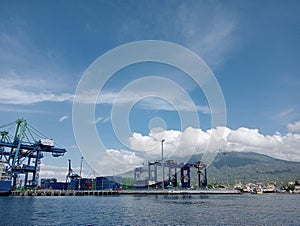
(23, 151)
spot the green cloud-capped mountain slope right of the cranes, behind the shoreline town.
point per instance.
(248, 167)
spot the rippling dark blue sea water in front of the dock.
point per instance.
(245, 209)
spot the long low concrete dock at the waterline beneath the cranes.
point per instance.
(50, 192)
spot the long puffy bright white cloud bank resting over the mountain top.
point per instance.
(182, 145)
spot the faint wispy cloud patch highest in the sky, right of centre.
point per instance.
(211, 38)
